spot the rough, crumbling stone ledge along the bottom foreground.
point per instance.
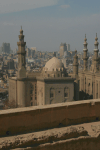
(81, 137)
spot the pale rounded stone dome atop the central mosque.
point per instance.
(53, 64)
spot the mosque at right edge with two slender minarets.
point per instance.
(89, 79)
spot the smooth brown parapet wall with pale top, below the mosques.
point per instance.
(37, 118)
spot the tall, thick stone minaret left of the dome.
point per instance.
(21, 56)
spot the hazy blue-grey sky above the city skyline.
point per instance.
(47, 23)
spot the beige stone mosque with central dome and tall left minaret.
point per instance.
(53, 85)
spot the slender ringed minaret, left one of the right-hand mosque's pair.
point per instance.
(85, 57)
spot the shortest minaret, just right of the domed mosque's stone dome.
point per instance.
(75, 63)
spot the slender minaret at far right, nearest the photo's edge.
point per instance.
(95, 58)
